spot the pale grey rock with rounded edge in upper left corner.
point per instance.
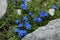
(3, 7)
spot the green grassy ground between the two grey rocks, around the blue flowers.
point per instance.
(7, 23)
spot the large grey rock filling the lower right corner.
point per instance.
(49, 32)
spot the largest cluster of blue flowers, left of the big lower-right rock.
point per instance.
(26, 24)
